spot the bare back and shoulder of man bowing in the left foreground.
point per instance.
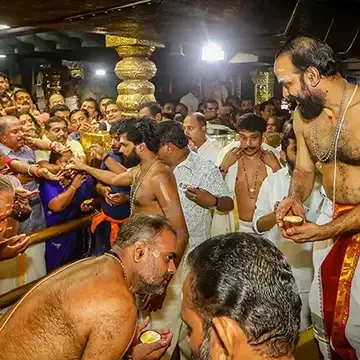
(81, 312)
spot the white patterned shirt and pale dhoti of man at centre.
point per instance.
(196, 172)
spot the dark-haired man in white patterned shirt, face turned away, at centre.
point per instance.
(201, 190)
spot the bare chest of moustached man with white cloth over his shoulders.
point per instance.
(254, 168)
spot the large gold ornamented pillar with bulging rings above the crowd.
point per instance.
(135, 69)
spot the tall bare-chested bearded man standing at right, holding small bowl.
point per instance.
(327, 129)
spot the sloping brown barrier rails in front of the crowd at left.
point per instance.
(38, 237)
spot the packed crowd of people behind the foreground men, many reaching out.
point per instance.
(38, 147)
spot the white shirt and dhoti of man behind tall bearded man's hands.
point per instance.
(273, 189)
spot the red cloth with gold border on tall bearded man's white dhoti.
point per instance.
(337, 272)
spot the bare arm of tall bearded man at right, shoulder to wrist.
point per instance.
(303, 177)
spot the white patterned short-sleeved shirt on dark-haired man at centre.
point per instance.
(198, 172)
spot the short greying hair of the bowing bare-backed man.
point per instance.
(142, 228)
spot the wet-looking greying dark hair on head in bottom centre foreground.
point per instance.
(246, 278)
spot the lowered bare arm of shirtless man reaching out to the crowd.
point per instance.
(165, 189)
